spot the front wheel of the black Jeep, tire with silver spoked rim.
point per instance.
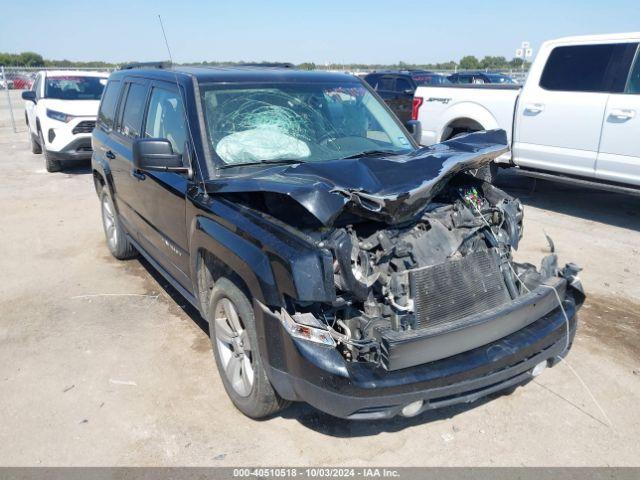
(235, 347)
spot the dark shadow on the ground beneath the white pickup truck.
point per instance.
(590, 204)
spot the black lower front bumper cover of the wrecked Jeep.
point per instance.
(303, 371)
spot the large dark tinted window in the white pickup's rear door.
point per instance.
(588, 68)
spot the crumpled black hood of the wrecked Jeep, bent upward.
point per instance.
(392, 189)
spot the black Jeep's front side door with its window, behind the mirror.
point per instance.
(161, 196)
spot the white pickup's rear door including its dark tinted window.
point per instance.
(559, 120)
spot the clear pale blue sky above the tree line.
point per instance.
(336, 31)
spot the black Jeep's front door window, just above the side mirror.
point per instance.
(166, 119)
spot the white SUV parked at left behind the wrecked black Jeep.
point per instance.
(60, 111)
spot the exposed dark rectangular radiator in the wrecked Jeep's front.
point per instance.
(457, 289)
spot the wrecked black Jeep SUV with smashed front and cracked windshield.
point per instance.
(336, 261)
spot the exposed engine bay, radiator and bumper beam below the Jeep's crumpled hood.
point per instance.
(436, 286)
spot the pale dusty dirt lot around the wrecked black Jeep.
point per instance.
(100, 364)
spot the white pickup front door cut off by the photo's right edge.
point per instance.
(619, 153)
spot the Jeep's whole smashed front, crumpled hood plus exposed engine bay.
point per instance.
(422, 266)
